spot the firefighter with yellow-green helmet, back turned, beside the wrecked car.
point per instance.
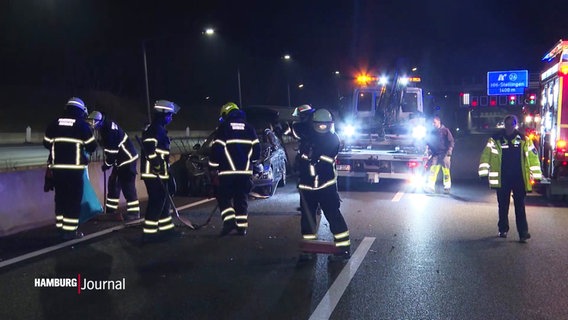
(235, 149)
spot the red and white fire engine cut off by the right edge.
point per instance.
(554, 120)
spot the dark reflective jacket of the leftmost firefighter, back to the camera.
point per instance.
(70, 140)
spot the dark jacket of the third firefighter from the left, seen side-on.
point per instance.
(156, 144)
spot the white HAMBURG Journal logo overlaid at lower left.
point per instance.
(81, 284)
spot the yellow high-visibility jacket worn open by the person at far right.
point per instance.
(490, 161)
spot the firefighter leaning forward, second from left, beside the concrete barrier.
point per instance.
(121, 156)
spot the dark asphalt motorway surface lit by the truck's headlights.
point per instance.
(415, 256)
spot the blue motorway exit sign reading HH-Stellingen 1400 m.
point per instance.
(507, 82)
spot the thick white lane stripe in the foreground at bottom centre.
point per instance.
(334, 293)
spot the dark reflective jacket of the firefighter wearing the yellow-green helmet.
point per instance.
(235, 147)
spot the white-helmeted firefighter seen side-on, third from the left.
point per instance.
(155, 172)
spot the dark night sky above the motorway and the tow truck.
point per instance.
(97, 44)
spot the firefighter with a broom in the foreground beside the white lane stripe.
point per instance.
(318, 183)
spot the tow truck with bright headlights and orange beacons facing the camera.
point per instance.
(382, 132)
